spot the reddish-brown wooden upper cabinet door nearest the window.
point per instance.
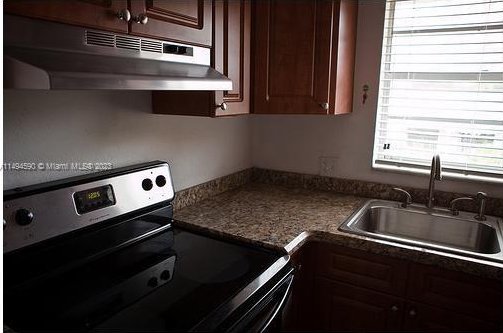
(291, 56)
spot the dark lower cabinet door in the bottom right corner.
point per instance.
(424, 318)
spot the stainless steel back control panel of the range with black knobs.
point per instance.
(42, 215)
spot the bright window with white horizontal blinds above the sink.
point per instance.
(441, 87)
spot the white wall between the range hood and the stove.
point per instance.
(117, 127)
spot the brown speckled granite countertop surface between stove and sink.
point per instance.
(284, 218)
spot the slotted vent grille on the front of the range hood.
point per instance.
(123, 42)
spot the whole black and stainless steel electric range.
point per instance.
(102, 252)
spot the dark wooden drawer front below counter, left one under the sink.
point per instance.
(362, 269)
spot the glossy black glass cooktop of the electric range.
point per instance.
(169, 281)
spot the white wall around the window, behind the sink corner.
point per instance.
(295, 143)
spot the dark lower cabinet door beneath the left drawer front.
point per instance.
(342, 307)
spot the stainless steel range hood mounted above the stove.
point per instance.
(45, 55)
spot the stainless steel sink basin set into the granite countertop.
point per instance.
(433, 228)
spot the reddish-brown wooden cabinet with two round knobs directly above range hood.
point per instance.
(188, 21)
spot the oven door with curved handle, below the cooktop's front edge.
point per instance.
(265, 314)
